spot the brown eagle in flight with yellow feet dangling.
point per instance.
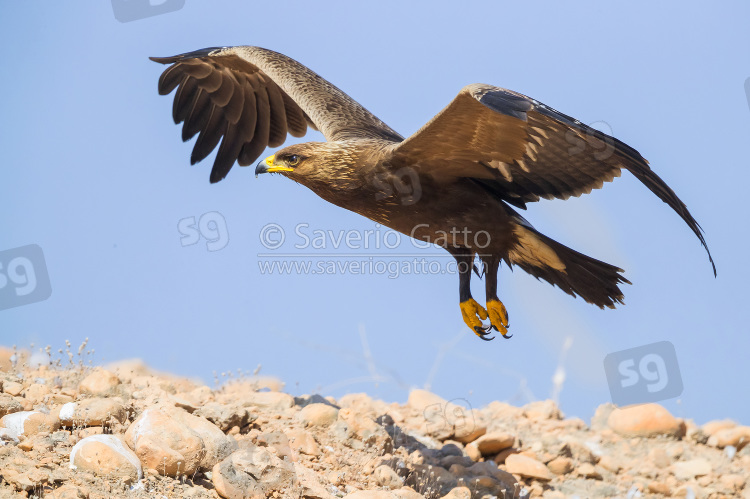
(457, 182)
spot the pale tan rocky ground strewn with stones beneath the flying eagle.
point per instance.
(126, 431)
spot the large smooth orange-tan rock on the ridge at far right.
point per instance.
(646, 420)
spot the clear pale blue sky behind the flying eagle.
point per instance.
(95, 174)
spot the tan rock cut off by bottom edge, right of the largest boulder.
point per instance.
(253, 472)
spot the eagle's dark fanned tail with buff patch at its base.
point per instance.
(575, 273)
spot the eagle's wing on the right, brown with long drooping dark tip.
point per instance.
(524, 150)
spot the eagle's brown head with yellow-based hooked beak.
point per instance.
(314, 163)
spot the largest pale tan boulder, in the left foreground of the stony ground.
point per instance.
(171, 441)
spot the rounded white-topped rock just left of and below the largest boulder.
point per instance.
(105, 455)
